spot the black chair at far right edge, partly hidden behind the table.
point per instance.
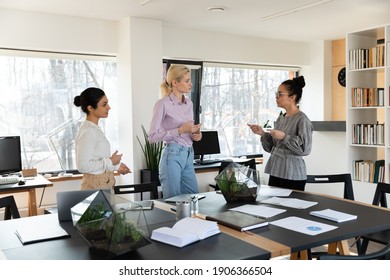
(382, 237)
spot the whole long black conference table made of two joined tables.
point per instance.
(261, 243)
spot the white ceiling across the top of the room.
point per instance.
(298, 20)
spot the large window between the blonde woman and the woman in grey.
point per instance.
(233, 96)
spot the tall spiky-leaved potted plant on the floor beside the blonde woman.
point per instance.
(152, 153)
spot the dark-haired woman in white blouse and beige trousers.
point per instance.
(93, 152)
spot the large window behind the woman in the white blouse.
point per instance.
(37, 92)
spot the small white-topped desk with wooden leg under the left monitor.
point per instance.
(29, 187)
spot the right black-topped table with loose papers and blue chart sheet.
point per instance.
(370, 219)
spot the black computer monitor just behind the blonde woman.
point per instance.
(208, 145)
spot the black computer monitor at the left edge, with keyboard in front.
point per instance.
(10, 154)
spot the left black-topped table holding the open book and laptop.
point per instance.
(218, 247)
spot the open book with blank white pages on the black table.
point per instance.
(185, 232)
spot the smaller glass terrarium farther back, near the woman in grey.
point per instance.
(238, 182)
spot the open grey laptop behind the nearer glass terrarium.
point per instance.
(68, 199)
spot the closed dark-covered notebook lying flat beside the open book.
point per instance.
(238, 220)
